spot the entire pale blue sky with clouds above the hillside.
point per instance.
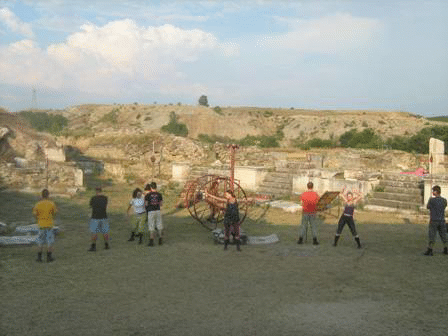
(365, 54)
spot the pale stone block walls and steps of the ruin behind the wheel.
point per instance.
(387, 179)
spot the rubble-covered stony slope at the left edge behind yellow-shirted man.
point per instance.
(30, 160)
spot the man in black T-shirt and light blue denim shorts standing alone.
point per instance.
(99, 222)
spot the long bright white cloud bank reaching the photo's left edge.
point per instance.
(110, 58)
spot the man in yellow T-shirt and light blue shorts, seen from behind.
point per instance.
(44, 211)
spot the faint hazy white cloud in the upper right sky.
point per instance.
(329, 34)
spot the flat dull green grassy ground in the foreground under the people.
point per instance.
(190, 286)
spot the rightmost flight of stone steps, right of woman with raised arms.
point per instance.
(401, 192)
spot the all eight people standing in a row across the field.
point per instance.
(147, 214)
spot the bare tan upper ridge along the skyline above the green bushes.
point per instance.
(237, 123)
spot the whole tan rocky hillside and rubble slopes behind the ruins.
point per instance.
(128, 141)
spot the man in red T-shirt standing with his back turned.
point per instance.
(309, 201)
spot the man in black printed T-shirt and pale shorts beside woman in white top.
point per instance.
(153, 202)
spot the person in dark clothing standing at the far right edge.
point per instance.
(436, 206)
